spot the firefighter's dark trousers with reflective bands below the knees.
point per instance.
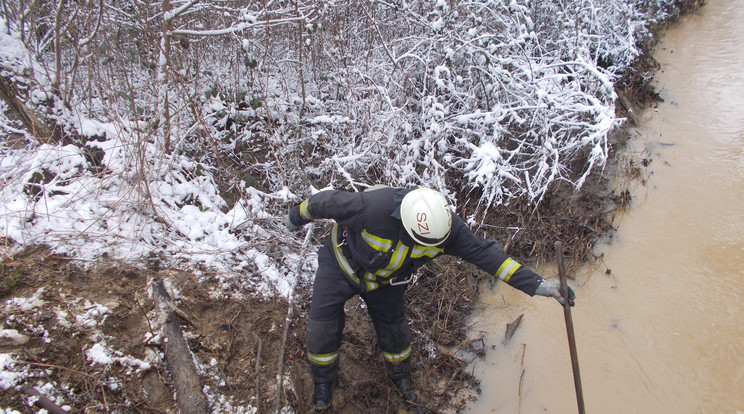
(386, 306)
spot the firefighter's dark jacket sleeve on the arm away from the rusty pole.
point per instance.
(341, 206)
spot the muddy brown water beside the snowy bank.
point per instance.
(664, 332)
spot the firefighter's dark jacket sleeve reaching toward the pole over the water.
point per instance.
(489, 256)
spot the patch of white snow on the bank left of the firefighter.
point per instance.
(86, 216)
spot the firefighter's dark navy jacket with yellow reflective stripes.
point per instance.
(373, 248)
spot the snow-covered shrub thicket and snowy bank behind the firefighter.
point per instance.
(163, 100)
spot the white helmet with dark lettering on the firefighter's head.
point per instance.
(426, 216)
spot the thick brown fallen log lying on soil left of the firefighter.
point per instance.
(188, 389)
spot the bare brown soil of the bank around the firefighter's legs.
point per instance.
(224, 334)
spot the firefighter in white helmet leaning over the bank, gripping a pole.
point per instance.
(380, 236)
